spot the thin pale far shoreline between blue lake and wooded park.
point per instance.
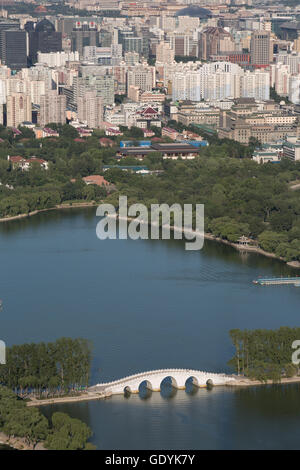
(207, 236)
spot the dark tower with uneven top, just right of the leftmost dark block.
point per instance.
(43, 38)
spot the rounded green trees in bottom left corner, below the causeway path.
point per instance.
(61, 433)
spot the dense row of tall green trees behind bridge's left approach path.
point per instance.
(47, 369)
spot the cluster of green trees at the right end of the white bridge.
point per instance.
(264, 354)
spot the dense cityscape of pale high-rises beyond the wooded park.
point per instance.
(144, 63)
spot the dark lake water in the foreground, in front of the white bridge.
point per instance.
(218, 419)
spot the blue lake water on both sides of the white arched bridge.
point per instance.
(150, 305)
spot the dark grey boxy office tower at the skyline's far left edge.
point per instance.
(13, 48)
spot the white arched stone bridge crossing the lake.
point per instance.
(154, 378)
